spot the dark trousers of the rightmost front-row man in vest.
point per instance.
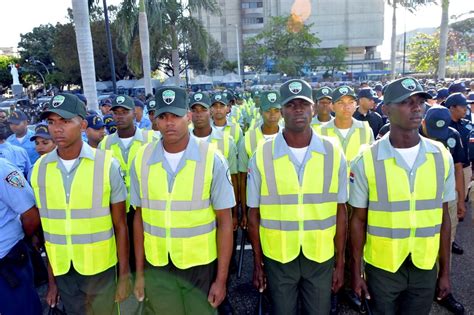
(410, 290)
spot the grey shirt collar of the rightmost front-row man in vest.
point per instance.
(387, 151)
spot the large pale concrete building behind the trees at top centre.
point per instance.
(356, 24)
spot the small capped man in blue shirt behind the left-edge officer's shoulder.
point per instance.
(21, 134)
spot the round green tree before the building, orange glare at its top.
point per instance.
(287, 42)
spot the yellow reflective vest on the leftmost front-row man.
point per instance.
(79, 231)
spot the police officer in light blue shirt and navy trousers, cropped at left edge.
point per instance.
(18, 216)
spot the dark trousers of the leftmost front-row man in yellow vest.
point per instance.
(88, 294)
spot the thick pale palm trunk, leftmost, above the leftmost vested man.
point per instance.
(80, 10)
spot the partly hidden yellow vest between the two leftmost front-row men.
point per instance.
(106, 144)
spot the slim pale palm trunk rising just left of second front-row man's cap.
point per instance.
(145, 47)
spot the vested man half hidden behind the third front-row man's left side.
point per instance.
(270, 110)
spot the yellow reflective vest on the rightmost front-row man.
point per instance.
(401, 222)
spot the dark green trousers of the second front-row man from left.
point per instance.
(170, 290)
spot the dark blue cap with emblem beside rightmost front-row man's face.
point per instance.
(437, 120)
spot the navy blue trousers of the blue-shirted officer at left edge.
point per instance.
(17, 291)
